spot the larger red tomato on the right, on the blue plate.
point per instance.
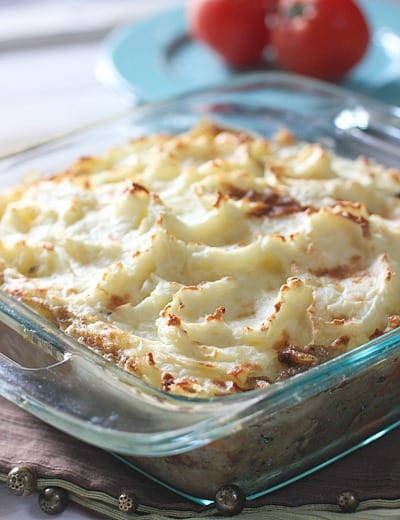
(320, 38)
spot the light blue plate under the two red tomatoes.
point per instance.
(153, 59)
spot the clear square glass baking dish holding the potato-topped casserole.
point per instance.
(258, 440)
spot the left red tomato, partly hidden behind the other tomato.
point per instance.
(235, 29)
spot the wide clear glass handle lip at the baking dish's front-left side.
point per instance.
(93, 403)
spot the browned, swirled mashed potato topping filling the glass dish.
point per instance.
(210, 262)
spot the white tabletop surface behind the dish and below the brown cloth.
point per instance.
(48, 51)
